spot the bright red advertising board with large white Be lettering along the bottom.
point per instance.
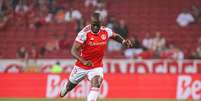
(149, 86)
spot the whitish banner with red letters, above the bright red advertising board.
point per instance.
(123, 66)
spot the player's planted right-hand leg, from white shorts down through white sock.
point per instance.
(96, 77)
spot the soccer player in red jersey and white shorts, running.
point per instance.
(88, 49)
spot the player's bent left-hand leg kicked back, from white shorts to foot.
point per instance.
(76, 76)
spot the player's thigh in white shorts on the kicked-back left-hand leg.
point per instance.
(77, 75)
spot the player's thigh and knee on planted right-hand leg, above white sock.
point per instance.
(96, 77)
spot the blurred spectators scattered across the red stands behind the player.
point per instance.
(34, 14)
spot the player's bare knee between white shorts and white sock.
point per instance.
(96, 81)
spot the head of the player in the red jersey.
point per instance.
(95, 22)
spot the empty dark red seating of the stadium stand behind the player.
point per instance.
(141, 16)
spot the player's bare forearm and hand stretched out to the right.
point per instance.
(125, 42)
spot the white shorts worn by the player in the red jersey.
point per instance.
(78, 74)
